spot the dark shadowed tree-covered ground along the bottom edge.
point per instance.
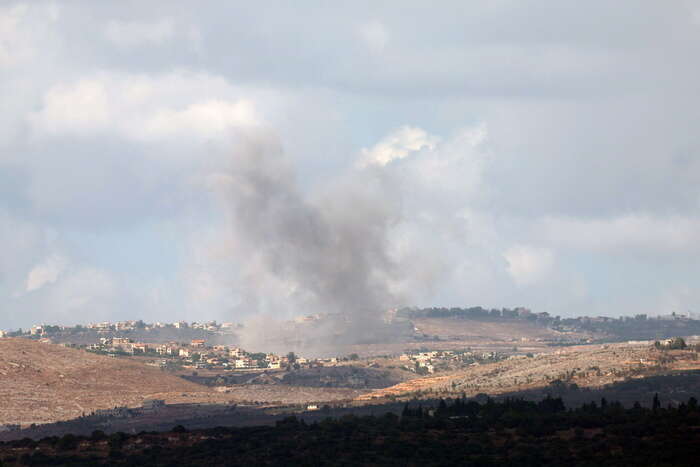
(512, 432)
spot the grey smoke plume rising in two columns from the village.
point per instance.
(300, 254)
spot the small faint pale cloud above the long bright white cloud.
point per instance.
(136, 33)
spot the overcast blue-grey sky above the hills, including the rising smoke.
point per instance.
(503, 153)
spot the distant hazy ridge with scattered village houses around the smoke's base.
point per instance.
(442, 339)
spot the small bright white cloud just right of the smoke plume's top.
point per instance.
(397, 145)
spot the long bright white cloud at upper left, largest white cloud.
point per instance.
(145, 107)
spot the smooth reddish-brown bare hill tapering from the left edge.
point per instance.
(44, 382)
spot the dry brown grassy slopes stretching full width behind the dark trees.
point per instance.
(42, 383)
